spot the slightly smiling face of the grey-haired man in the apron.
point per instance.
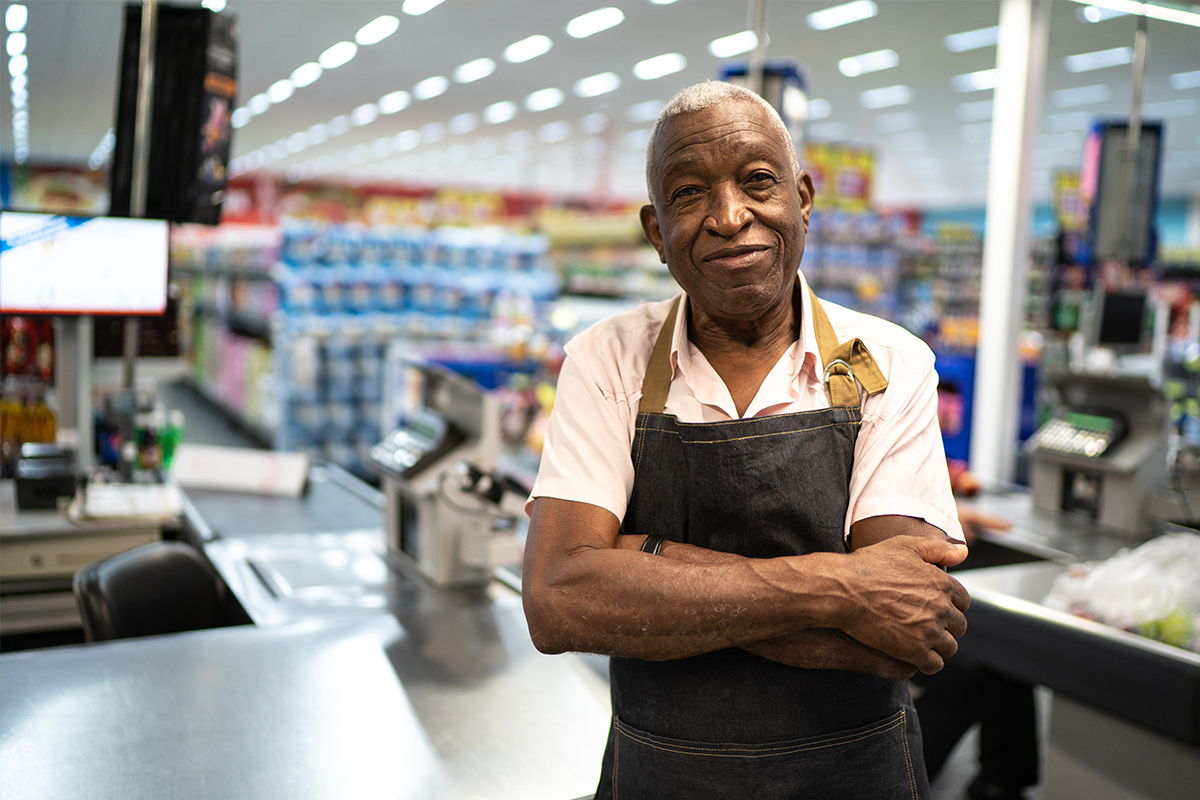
(731, 216)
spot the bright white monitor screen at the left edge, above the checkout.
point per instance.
(53, 264)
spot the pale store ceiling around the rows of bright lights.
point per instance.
(932, 152)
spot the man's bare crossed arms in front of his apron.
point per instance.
(886, 607)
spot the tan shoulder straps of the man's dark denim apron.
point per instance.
(845, 363)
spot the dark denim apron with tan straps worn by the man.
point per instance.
(730, 724)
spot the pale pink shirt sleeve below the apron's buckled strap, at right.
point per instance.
(899, 461)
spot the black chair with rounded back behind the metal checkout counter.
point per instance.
(158, 588)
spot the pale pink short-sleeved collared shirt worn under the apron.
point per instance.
(899, 461)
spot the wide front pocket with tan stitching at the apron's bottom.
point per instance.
(869, 763)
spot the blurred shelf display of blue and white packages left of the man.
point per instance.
(290, 329)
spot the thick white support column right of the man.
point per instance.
(1017, 117)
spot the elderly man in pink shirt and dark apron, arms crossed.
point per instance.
(743, 498)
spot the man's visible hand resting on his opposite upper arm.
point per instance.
(901, 603)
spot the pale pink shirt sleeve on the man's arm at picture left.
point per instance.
(586, 458)
